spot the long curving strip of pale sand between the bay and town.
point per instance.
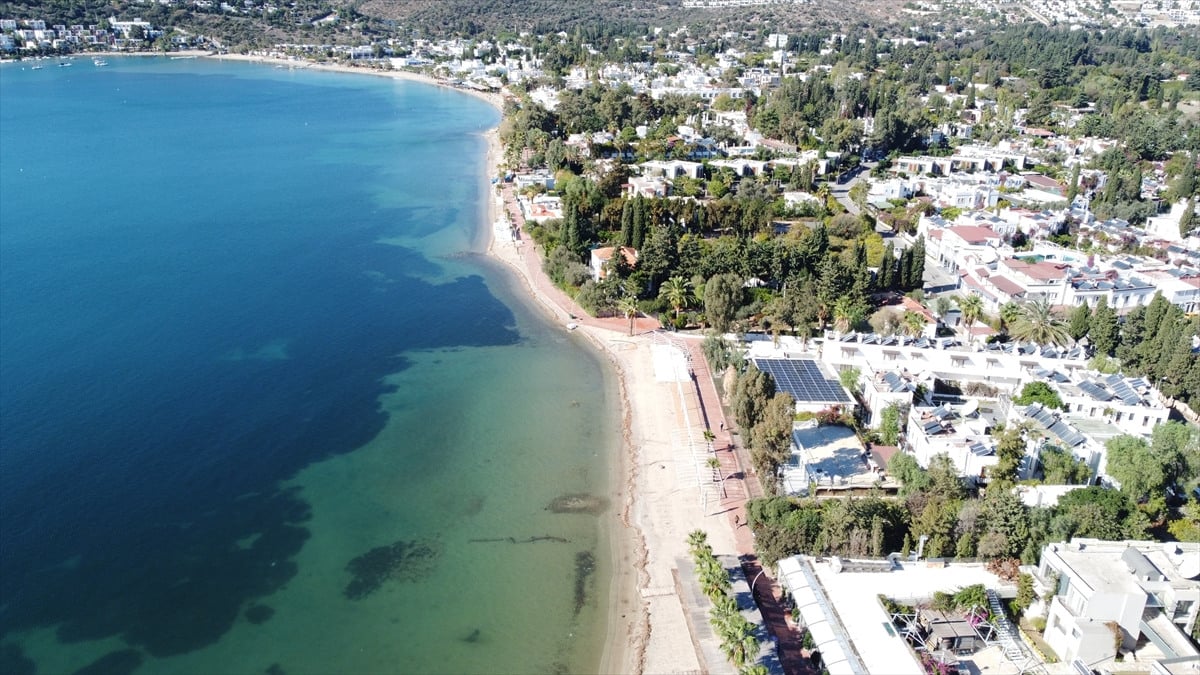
(647, 628)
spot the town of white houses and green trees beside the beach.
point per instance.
(945, 283)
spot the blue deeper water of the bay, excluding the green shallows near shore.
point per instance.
(203, 286)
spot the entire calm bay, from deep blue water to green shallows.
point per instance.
(266, 404)
